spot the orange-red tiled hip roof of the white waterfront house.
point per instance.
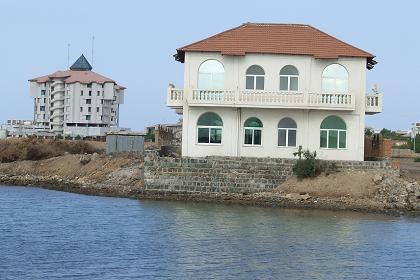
(267, 38)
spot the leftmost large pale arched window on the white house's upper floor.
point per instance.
(211, 75)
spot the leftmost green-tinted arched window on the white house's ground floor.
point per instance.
(209, 129)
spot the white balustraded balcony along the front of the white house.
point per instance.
(260, 99)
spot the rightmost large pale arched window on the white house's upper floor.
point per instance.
(335, 79)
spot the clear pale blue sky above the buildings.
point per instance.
(135, 41)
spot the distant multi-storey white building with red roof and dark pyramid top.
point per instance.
(77, 102)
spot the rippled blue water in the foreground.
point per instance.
(55, 235)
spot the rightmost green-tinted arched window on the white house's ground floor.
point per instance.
(333, 133)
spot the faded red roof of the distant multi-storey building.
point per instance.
(72, 76)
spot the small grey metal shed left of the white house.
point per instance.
(124, 141)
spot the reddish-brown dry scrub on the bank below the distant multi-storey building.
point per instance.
(37, 149)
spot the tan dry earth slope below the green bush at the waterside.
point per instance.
(342, 184)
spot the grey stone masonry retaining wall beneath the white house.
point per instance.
(225, 174)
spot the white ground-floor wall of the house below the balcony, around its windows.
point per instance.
(308, 134)
